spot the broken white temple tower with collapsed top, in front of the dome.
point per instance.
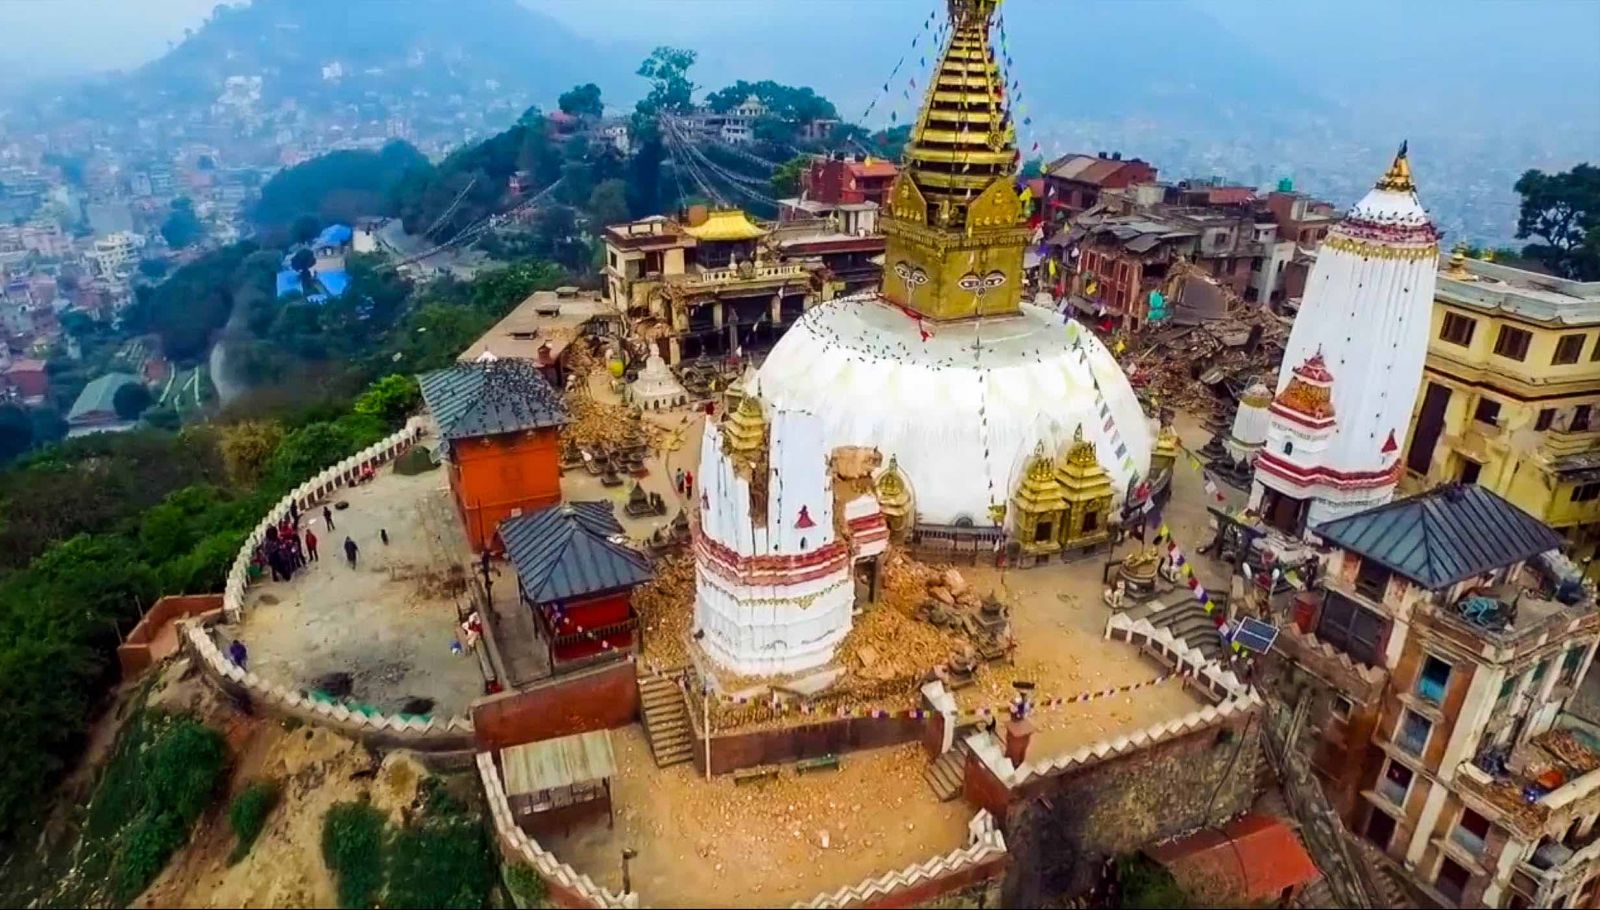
(775, 583)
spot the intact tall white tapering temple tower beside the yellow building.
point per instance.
(1353, 364)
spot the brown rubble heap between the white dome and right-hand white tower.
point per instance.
(1202, 369)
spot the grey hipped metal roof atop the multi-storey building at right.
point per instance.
(1442, 537)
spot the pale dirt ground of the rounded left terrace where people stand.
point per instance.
(391, 620)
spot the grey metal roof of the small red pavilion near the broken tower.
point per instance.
(567, 551)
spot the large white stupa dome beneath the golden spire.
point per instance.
(958, 404)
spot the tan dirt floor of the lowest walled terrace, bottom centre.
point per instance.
(761, 845)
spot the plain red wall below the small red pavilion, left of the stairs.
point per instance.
(598, 698)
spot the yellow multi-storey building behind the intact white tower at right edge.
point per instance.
(1511, 396)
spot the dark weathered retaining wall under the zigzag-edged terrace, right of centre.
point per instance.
(1063, 828)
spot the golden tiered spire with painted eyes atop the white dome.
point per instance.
(954, 223)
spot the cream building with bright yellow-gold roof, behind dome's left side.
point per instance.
(713, 284)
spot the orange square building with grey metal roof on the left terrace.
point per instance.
(502, 426)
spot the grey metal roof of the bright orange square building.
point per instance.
(490, 397)
